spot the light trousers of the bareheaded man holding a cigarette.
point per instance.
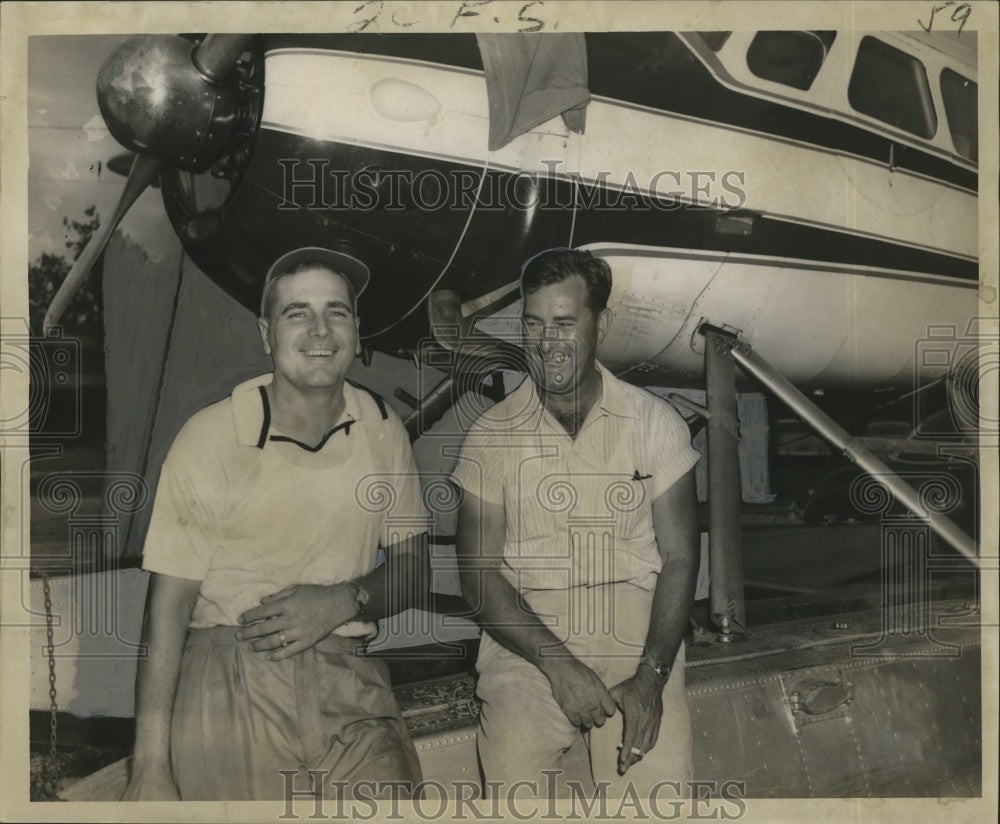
(523, 731)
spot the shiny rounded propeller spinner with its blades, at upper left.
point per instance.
(171, 102)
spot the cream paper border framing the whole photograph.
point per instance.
(19, 21)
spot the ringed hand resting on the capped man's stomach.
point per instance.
(294, 619)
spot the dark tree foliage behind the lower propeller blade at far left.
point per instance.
(84, 315)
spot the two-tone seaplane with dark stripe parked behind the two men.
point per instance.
(795, 210)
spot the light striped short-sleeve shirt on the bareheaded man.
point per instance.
(578, 511)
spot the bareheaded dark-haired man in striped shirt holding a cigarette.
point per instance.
(578, 551)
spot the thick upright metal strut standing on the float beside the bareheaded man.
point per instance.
(725, 549)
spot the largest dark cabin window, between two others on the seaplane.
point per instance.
(891, 85)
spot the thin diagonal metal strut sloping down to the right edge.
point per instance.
(854, 449)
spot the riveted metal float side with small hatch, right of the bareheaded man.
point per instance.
(851, 708)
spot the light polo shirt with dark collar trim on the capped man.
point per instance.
(247, 511)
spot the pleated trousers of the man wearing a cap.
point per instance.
(239, 719)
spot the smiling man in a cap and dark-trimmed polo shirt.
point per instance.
(269, 513)
